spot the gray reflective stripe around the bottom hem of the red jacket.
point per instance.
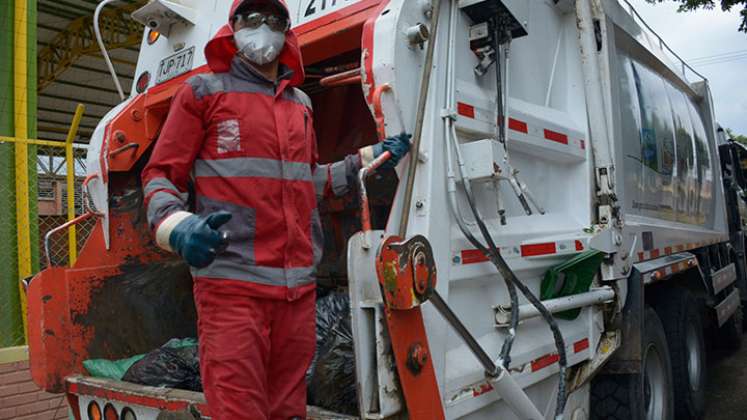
(269, 276)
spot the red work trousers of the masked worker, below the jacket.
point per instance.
(254, 353)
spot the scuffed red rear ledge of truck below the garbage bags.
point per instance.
(126, 394)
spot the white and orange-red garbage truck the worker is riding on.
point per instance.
(562, 241)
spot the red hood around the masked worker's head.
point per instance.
(220, 50)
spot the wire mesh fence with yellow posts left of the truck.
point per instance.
(46, 190)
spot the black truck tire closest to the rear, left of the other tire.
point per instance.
(646, 395)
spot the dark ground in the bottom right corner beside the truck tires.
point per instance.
(727, 385)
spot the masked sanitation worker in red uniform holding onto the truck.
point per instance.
(244, 134)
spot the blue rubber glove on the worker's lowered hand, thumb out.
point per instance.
(198, 240)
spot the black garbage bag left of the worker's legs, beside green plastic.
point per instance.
(175, 365)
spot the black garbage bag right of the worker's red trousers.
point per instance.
(332, 375)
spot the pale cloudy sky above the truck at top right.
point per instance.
(699, 36)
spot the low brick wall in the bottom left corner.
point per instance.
(21, 399)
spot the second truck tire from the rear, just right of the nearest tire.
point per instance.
(680, 314)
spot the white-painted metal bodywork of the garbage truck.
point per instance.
(655, 130)
